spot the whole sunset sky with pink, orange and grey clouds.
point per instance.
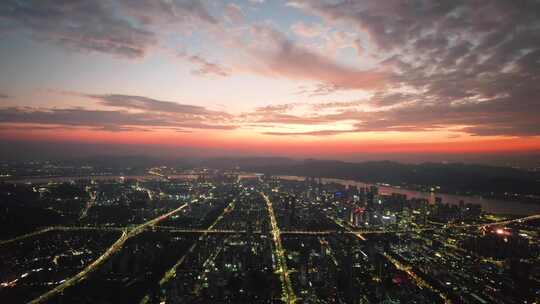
(340, 79)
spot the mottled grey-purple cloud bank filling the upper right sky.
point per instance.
(469, 64)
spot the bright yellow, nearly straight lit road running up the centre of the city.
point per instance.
(288, 291)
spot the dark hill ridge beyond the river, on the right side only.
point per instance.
(451, 178)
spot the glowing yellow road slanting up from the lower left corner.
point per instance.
(126, 234)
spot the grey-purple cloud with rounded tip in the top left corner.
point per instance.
(79, 25)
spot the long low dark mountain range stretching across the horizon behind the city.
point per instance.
(459, 178)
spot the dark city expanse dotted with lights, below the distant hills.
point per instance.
(211, 236)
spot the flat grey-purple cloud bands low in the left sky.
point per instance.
(157, 115)
